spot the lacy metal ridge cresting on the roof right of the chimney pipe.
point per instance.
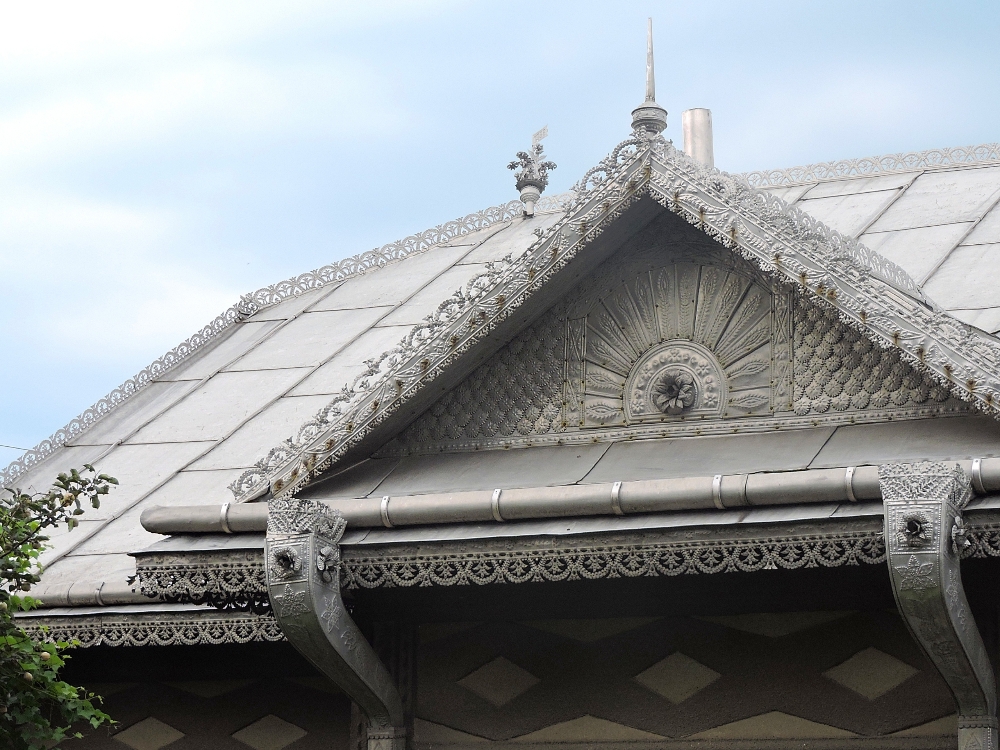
(867, 166)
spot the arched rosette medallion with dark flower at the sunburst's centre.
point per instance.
(674, 380)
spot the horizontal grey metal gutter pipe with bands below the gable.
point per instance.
(850, 484)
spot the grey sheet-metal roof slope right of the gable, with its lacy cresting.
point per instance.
(935, 213)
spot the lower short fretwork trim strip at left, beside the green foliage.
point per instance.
(162, 629)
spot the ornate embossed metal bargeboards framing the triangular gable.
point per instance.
(866, 292)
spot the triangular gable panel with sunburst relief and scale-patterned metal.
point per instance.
(673, 308)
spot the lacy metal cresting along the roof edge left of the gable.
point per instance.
(263, 298)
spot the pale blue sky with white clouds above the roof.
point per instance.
(159, 159)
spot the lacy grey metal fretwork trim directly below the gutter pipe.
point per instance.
(211, 577)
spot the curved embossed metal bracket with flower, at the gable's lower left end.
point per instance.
(302, 563)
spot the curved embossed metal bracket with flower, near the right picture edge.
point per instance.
(924, 535)
